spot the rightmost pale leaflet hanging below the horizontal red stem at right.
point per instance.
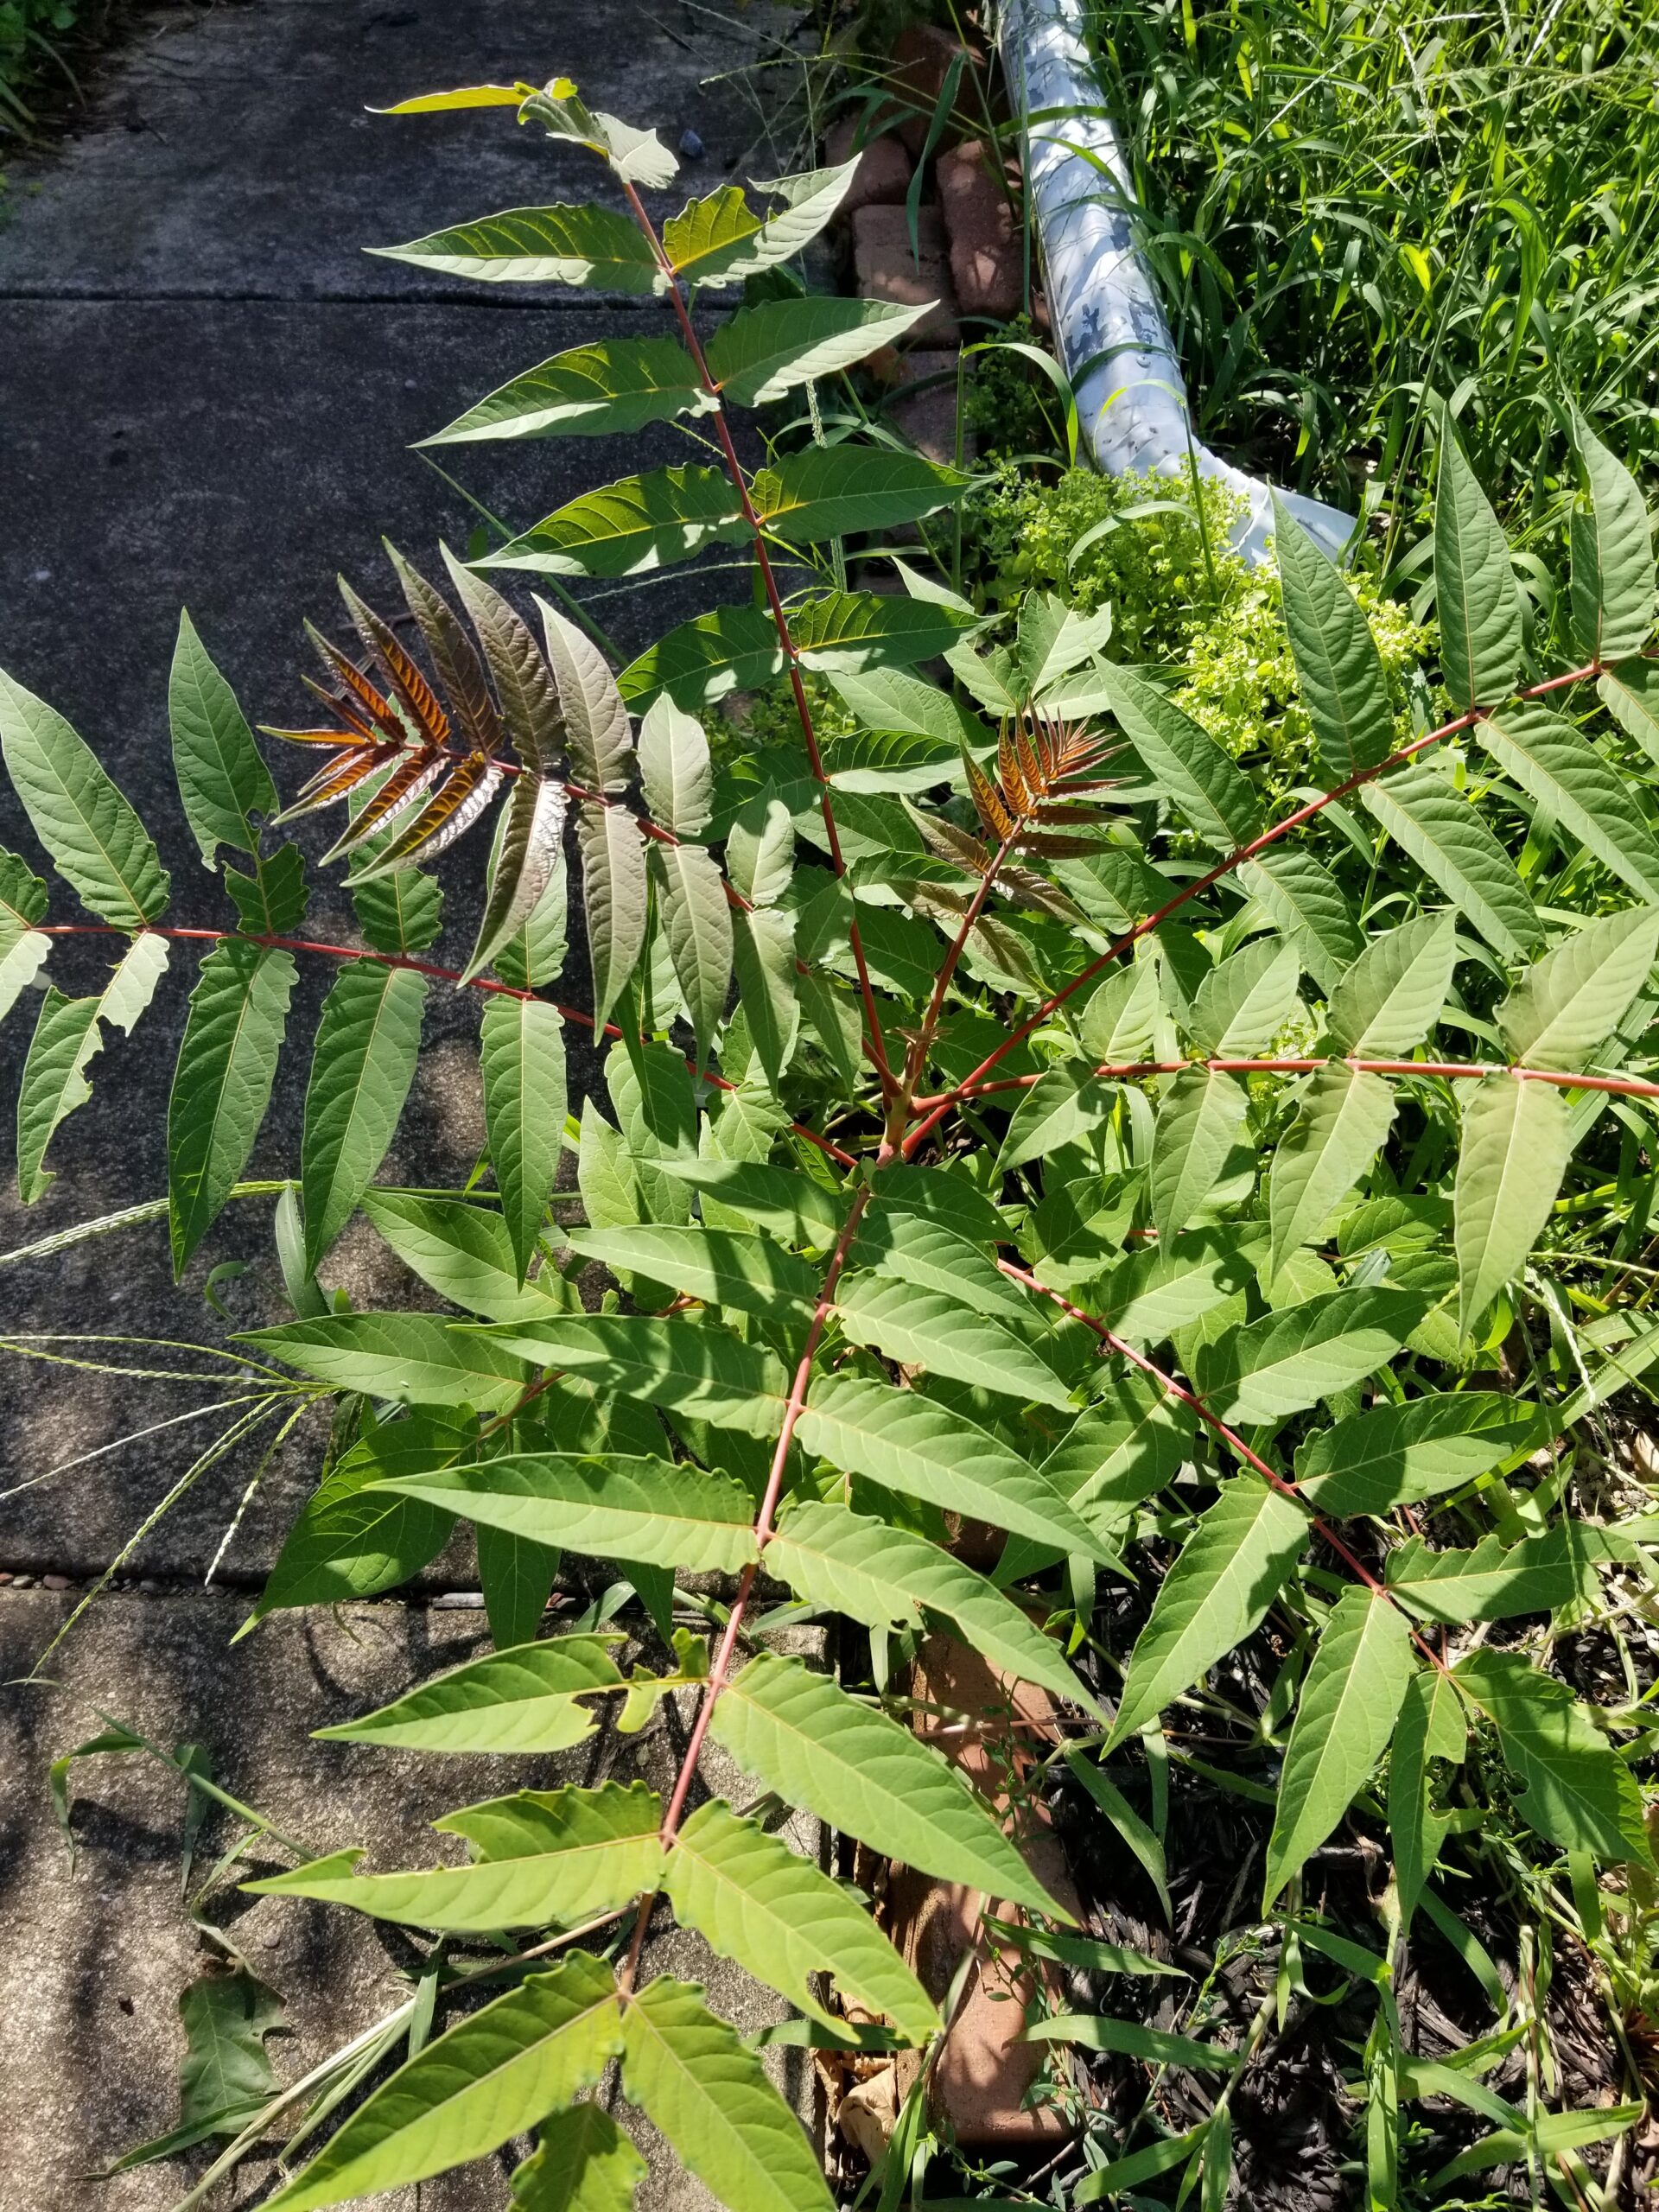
(1516, 1145)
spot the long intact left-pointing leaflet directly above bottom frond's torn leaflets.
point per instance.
(620, 1507)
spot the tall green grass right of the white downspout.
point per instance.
(1353, 209)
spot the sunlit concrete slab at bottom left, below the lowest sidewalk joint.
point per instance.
(98, 1952)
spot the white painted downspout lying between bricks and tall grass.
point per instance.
(1107, 315)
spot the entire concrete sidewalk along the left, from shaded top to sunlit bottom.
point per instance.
(207, 397)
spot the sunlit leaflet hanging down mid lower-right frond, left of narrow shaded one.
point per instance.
(1344, 1724)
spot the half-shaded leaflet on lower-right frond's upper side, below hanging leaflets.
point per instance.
(1293, 1359)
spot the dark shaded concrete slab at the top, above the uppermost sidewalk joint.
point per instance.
(233, 154)
